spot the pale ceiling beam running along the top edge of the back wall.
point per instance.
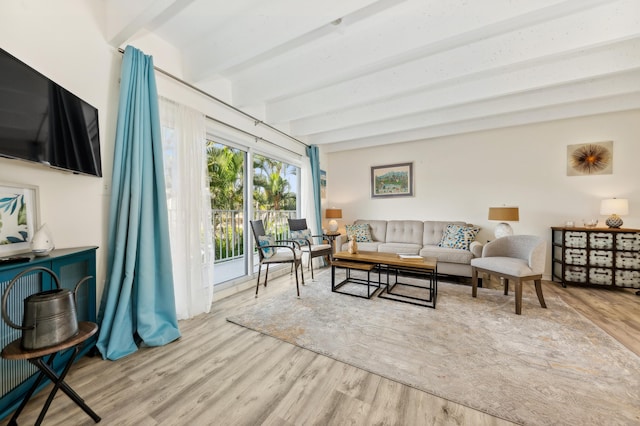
(630, 101)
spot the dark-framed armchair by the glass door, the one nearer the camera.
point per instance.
(285, 251)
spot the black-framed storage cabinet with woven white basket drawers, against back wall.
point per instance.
(596, 256)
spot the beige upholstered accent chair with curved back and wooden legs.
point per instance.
(515, 258)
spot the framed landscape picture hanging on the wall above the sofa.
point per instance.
(394, 180)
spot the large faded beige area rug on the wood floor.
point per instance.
(544, 367)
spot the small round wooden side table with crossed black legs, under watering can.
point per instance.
(37, 357)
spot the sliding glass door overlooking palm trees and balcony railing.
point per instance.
(274, 187)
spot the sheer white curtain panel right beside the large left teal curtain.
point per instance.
(189, 202)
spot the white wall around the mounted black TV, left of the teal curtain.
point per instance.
(64, 41)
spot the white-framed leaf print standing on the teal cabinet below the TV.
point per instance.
(18, 218)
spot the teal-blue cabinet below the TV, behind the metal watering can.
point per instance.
(70, 265)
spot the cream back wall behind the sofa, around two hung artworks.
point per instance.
(460, 177)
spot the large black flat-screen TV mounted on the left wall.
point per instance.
(40, 121)
